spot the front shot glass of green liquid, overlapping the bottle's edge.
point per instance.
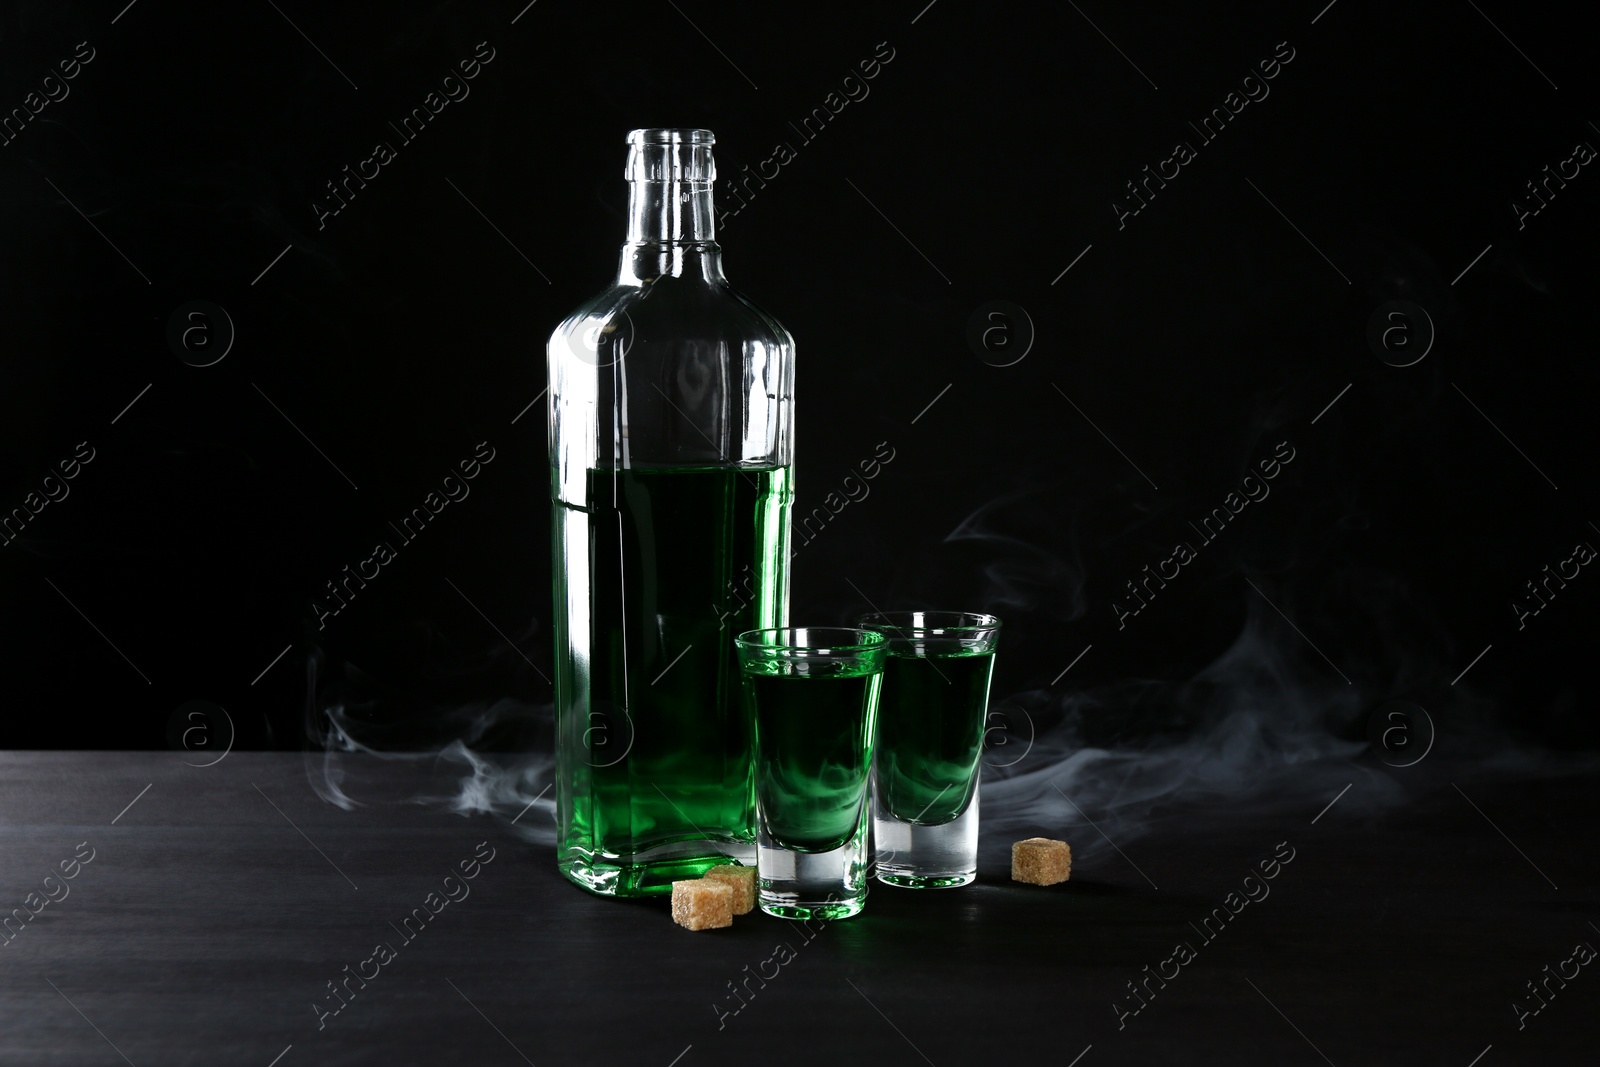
(812, 695)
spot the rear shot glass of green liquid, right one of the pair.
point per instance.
(930, 740)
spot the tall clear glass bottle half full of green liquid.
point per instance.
(671, 487)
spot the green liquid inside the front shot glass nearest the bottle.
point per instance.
(815, 749)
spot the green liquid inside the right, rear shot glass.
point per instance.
(930, 733)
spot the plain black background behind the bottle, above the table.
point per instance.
(985, 161)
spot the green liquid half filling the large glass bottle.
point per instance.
(654, 581)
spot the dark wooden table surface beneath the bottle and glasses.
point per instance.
(220, 903)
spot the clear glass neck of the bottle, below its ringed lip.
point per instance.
(670, 233)
